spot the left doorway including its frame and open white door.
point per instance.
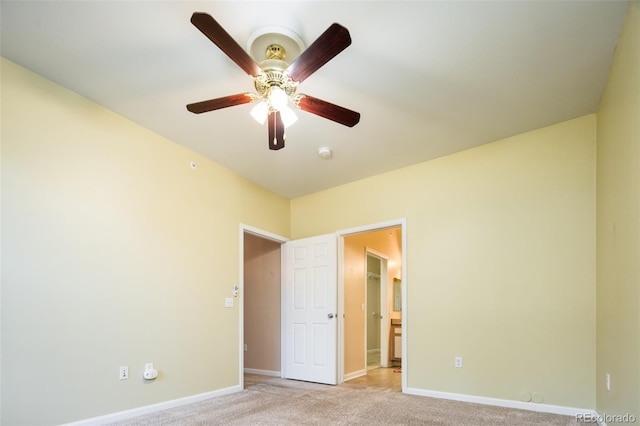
(288, 307)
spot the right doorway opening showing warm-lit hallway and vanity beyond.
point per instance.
(372, 263)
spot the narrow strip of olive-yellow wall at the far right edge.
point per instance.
(618, 228)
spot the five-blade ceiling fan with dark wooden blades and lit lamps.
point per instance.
(276, 81)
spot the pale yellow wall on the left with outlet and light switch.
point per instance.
(115, 252)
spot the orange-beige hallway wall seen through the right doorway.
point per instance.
(387, 242)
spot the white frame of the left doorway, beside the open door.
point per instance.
(240, 301)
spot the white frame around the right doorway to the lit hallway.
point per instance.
(402, 223)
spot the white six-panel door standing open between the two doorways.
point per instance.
(310, 309)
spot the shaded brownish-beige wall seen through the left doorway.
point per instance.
(262, 295)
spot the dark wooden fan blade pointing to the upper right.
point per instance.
(333, 41)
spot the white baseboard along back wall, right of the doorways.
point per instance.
(507, 403)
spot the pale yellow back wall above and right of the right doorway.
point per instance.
(500, 262)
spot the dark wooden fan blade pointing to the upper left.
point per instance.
(214, 32)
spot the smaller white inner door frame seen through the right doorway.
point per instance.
(384, 312)
